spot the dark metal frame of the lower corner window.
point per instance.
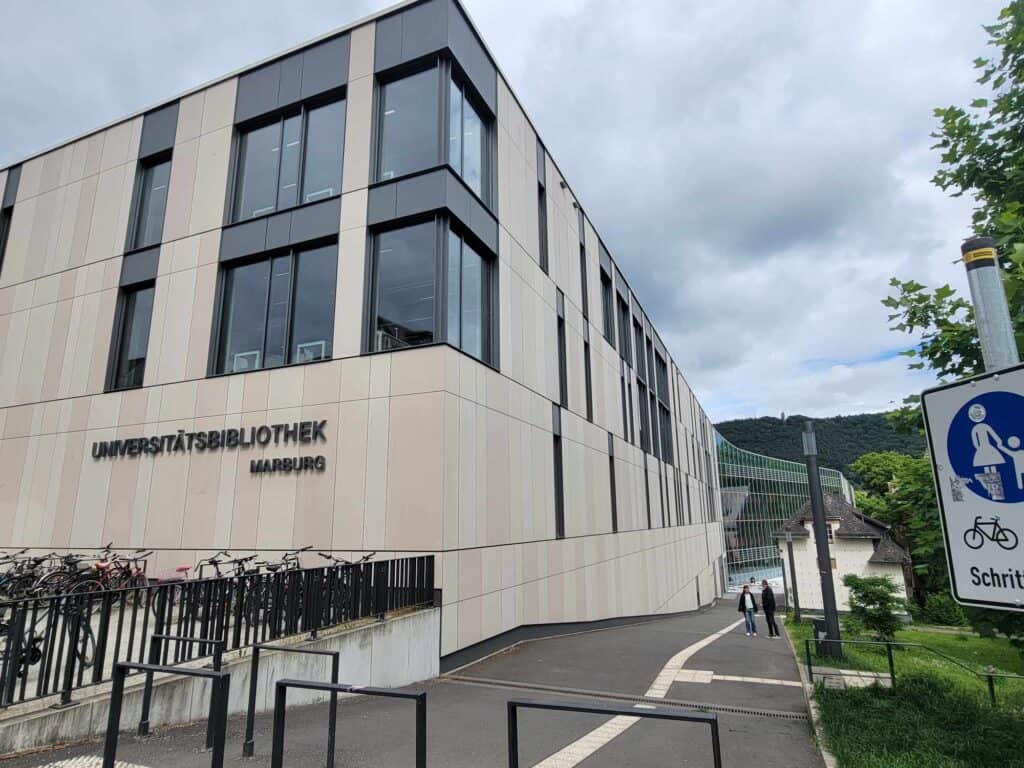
(443, 226)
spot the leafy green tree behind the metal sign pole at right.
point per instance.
(983, 155)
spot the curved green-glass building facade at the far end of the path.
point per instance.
(759, 494)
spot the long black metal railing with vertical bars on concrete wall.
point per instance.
(57, 645)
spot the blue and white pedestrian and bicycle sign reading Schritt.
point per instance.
(976, 438)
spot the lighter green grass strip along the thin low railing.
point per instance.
(971, 651)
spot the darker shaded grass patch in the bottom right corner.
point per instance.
(921, 723)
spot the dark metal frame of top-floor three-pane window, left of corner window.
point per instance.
(280, 116)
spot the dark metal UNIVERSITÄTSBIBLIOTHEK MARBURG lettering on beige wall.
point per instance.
(183, 442)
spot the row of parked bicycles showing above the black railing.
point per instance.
(24, 575)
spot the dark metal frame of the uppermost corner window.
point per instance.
(447, 70)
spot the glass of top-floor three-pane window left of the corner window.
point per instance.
(294, 160)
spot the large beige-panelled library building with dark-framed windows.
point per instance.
(346, 298)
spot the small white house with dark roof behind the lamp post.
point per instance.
(858, 544)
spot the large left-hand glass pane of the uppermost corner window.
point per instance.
(409, 125)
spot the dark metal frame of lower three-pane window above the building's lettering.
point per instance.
(219, 316)
